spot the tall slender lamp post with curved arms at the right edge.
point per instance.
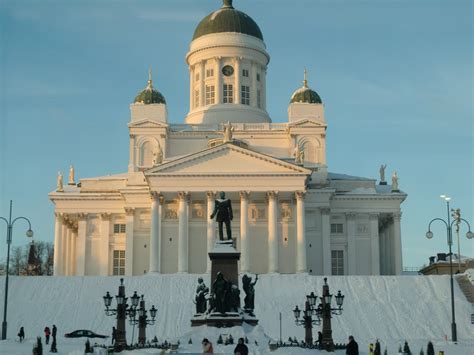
(449, 227)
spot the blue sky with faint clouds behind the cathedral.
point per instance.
(395, 77)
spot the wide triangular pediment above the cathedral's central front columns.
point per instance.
(227, 159)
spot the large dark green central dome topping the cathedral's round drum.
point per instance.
(227, 19)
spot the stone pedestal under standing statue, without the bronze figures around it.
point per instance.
(224, 259)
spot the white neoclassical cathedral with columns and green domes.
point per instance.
(290, 213)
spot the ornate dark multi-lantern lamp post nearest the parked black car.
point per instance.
(122, 310)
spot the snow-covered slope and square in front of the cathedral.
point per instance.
(392, 309)
